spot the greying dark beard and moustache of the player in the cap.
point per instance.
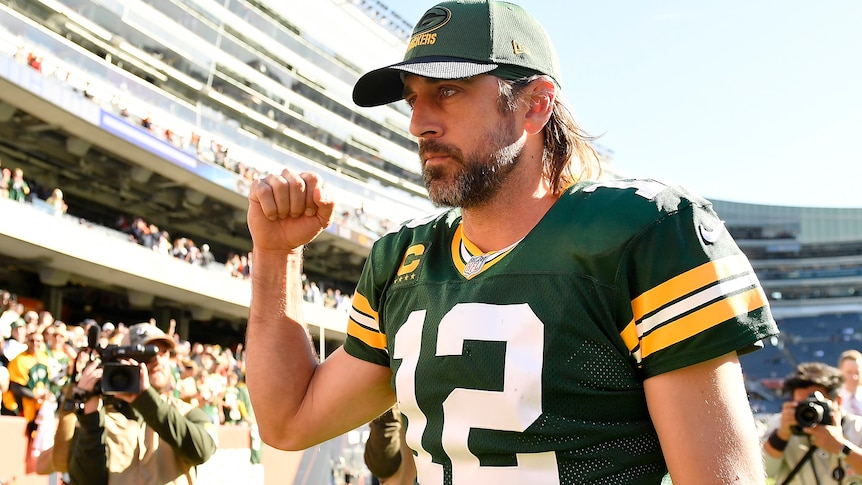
(471, 180)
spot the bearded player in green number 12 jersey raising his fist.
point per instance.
(548, 329)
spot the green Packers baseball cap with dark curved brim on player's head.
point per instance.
(463, 38)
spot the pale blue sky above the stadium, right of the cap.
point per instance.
(749, 101)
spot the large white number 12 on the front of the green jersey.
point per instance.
(514, 408)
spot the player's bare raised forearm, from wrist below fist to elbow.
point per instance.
(280, 360)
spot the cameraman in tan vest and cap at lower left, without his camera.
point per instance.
(147, 437)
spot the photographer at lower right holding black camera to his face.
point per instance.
(812, 441)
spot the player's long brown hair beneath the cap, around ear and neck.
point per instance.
(568, 155)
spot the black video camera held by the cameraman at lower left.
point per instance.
(123, 378)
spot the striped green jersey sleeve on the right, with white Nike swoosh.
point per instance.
(694, 295)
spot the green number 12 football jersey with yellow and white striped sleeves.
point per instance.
(526, 365)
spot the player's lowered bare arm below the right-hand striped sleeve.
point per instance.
(705, 425)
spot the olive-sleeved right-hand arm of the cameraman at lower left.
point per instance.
(185, 433)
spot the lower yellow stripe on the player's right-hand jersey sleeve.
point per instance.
(703, 319)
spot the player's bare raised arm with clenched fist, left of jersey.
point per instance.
(298, 402)
